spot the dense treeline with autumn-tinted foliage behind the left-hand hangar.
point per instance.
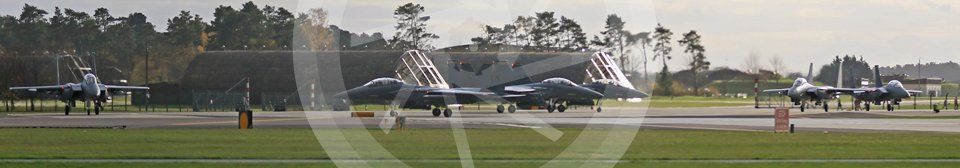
(127, 46)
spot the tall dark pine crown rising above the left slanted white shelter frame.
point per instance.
(412, 28)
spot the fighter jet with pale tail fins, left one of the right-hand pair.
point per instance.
(802, 91)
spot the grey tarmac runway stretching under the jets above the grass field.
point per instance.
(729, 118)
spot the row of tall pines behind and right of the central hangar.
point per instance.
(545, 31)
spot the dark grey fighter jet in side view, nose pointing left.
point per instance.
(396, 93)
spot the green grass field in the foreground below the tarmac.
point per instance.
(488, 147)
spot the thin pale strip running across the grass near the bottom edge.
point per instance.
(479, 160)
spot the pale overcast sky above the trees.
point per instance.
(884, 32)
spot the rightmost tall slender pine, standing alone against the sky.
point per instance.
(699, 61)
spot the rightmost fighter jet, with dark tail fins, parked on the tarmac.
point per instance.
(892, 93)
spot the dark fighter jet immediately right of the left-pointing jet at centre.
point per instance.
(554, 93)
